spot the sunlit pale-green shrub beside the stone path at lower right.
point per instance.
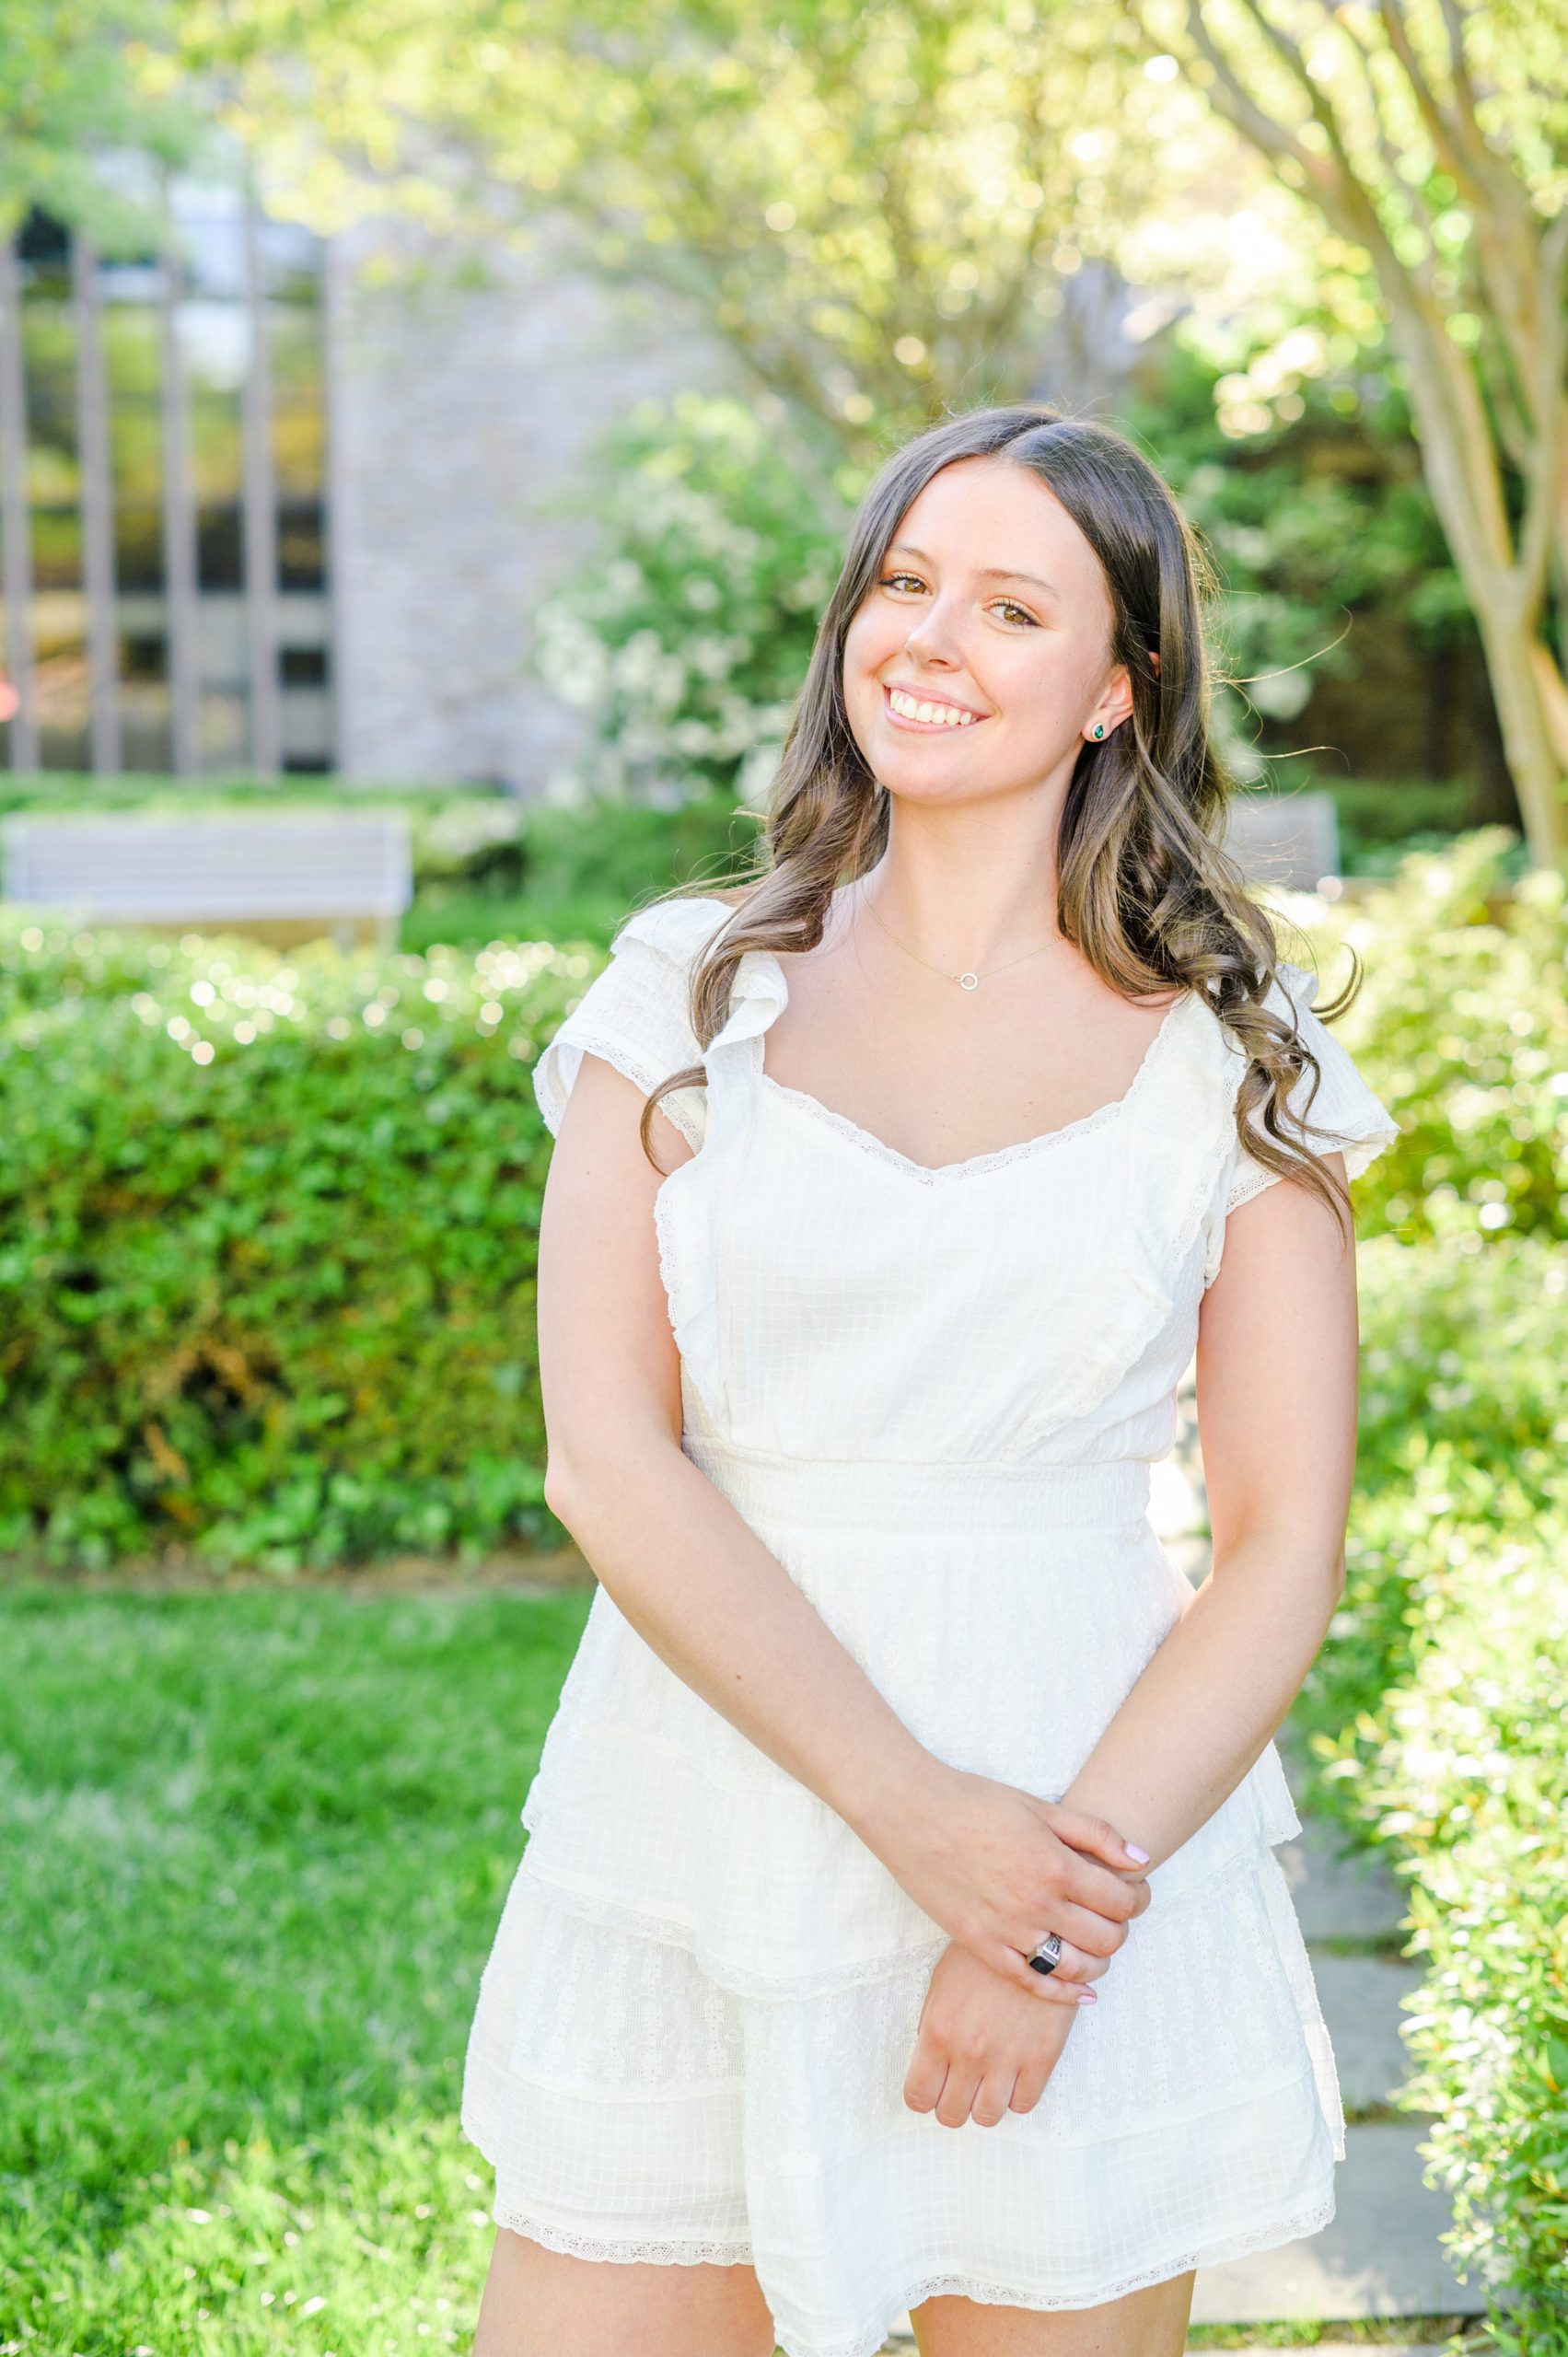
(1468, 1769)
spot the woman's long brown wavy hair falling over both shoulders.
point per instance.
(1145, 887)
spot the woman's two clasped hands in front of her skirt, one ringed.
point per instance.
(1001, 1870)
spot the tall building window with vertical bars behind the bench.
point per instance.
(164, 548)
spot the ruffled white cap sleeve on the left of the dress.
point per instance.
(635, 1015)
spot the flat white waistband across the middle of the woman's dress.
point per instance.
(888, 1493)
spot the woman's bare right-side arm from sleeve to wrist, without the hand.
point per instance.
(1277, 1418)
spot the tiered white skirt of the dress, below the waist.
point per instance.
(699, 2012)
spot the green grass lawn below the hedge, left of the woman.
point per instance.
(253, 1854)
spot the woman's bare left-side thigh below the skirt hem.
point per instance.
(546, 2304)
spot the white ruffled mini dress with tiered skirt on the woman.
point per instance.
(935, 1394)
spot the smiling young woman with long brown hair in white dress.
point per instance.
(900, 1922)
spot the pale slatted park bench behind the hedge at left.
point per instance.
(282, 876)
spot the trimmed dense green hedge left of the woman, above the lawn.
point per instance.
(268, 1246)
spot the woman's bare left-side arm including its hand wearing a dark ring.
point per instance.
(718, 1606)
